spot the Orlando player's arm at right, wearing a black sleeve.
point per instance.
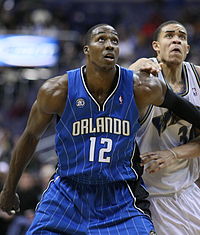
(150, 90)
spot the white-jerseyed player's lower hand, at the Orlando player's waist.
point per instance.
(157, 160)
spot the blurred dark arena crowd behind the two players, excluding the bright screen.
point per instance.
(67, 21)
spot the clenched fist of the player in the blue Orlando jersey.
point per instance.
(9, 203)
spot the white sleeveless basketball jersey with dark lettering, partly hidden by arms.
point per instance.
(161, 129)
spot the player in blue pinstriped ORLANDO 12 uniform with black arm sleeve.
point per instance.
(97, 187)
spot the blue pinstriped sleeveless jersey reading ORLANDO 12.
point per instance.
(95, 144)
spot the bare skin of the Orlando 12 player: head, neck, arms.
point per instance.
(101, 56)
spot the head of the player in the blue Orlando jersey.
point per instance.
(103, 50)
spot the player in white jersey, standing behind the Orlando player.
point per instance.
(170, 157)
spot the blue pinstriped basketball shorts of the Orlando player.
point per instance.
(68, 207)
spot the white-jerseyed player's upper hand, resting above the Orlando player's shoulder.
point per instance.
(146, 65)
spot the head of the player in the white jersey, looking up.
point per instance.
(172, 46)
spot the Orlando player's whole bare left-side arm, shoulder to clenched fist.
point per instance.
(50, 100)
